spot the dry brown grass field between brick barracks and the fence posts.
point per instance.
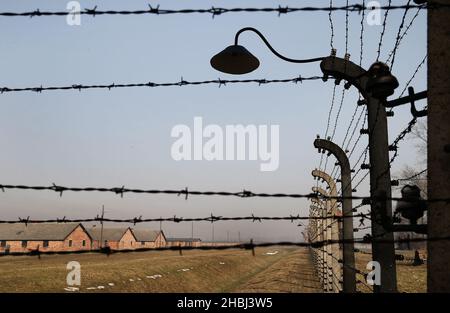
(288, 270)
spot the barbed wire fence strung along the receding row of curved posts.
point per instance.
(330, 272)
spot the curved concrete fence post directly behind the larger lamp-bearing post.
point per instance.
(347, 212)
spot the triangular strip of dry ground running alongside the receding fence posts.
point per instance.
(292, 273)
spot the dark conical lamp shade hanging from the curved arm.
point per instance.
(235, 59)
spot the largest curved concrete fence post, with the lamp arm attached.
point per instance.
(380, 177)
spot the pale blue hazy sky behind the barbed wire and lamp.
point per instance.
(122, 137)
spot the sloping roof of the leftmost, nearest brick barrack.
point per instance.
(42, 231)
